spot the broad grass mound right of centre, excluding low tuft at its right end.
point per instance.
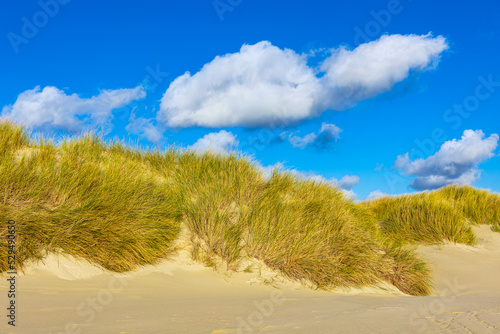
(309, 230)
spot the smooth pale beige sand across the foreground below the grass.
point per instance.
(62, 295)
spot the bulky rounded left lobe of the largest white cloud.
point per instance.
(257, 86)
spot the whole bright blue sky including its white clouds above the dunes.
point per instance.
(335, 90)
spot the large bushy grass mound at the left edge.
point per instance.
(84, 201)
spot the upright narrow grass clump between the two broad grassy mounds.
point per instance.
(219, 192)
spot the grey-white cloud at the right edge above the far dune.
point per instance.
(456, 162)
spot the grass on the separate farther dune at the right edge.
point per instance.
(445, 214)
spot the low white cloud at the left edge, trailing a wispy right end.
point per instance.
(52, 108)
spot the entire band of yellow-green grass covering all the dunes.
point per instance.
(121, 208)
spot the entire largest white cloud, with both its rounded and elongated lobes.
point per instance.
(263, 85)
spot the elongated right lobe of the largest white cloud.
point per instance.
(375, 67)
